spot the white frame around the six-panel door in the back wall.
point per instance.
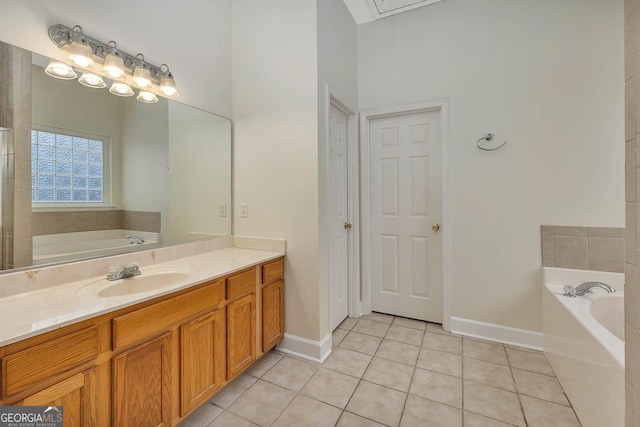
(442, 106)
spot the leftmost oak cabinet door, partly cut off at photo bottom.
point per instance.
(76, 394)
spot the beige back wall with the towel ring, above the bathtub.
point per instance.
(544, 75)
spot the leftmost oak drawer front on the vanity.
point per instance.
(27, 367)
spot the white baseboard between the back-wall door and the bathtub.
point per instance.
(498, 333)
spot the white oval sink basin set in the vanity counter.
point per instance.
(147, 281)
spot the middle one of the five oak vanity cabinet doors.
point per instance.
(203, 359)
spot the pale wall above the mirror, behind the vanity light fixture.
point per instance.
(193, 37)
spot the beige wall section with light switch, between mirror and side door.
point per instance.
(275, 113)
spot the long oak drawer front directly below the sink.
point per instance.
(149, 321)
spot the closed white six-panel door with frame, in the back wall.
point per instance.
(404, 211)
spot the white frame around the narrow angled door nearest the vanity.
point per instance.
(353, 196)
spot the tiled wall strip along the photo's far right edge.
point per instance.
(632, 240)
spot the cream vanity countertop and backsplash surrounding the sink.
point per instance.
(75, 297)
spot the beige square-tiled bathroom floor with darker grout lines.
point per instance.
(391, 371)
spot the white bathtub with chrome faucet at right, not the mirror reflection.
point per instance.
(584, 342)
